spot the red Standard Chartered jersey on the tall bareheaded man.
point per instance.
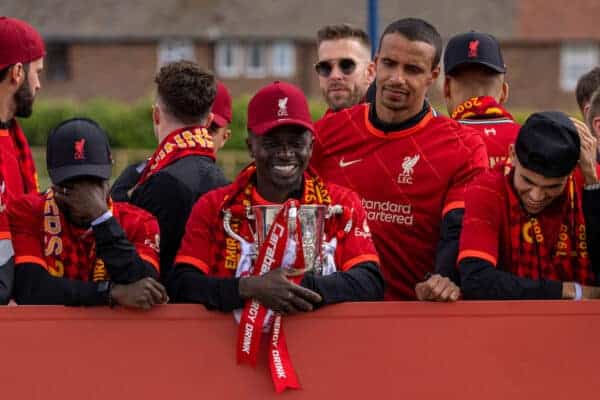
(408, 180)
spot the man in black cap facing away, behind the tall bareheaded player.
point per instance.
(475, 88)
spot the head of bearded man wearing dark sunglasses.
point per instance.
(344, 68)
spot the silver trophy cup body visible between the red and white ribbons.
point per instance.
(312, 224)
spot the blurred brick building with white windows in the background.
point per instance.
(112, 48)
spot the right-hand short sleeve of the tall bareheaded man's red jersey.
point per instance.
(475, 161)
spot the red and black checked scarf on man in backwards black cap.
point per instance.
(551, 245)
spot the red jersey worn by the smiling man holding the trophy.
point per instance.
(206, 246)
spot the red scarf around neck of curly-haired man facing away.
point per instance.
(188, 141)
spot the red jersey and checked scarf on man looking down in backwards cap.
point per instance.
(548, 245)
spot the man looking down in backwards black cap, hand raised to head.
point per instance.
(533, 233)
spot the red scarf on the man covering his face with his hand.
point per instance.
(70, 251)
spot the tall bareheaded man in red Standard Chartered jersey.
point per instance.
(409, 164)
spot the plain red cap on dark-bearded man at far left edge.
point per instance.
(19, 42)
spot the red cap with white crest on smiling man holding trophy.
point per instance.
(277, 104)
